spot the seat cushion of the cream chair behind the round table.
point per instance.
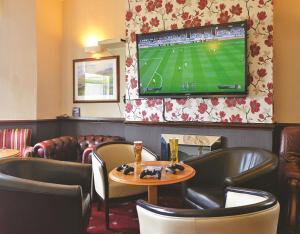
(117, 190)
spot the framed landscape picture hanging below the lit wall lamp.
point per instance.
(96, 80)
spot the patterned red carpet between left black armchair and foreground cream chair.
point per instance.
(123, 219)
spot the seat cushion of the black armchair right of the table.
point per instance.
(205, 197)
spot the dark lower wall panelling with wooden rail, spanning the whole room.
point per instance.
(265, 136)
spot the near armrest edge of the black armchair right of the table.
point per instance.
(251, 174)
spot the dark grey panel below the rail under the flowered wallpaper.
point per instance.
(231, 137)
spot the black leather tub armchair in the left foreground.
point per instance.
(44, 196)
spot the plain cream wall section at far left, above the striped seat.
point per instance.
(18, 60)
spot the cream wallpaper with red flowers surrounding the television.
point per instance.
(145, 16)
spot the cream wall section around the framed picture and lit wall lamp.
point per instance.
(83, 18)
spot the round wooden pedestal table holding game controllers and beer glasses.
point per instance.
(152, 183)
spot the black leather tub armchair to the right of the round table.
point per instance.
(243, 167)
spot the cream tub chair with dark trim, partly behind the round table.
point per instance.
(108, 156)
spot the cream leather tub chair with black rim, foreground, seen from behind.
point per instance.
(246, 212)
